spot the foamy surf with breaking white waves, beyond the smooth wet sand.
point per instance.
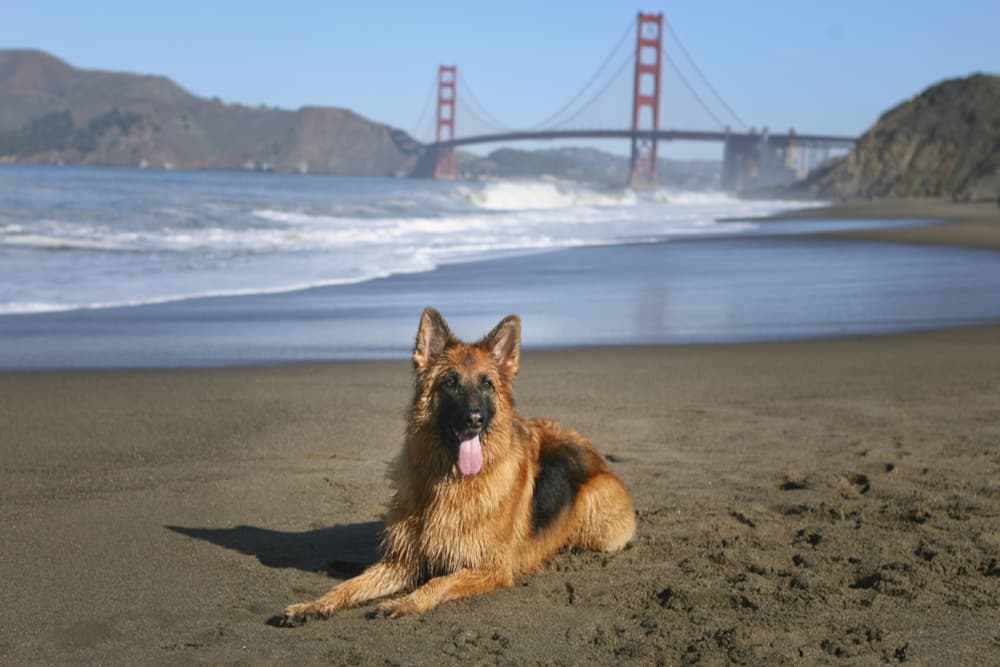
(207, 239)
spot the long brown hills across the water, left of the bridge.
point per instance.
(51, 112)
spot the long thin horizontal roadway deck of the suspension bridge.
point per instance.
(659, 135)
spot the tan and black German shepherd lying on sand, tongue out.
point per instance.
(481, 494)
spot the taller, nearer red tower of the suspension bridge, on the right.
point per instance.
(646, 99)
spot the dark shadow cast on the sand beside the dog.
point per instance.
(341, 551)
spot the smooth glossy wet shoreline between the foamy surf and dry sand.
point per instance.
(763, 287)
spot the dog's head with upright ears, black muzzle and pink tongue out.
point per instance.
(465, 390)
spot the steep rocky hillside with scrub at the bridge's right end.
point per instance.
(945, 142)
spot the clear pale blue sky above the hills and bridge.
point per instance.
(824, 67)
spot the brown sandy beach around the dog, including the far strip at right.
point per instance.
(820, 502)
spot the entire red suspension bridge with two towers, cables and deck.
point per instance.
(748, 154)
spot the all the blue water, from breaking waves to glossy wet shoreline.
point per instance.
(105, 268)
